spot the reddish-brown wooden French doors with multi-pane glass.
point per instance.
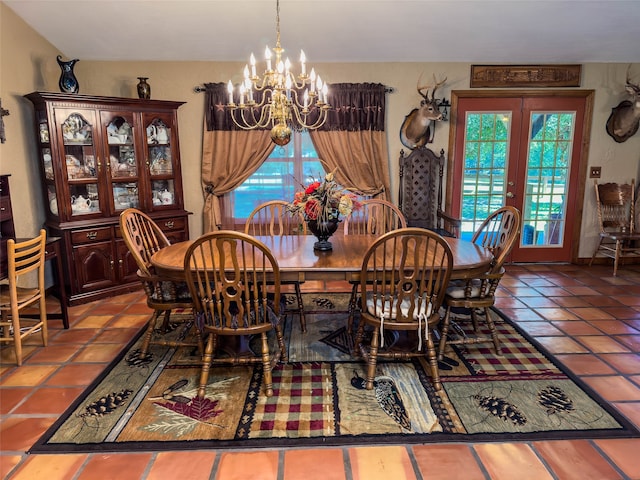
(525, 151)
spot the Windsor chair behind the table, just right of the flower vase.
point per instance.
(374, 217)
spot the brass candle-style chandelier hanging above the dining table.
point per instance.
(287, 102)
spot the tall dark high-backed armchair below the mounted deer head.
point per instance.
(420, 196)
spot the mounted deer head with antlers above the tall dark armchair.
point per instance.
(417, 129)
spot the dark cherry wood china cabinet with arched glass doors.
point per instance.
(99, 156)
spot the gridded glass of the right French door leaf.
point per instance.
(548, 164)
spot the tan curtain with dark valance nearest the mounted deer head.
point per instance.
(353, 141)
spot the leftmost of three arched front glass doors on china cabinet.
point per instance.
(80, 162)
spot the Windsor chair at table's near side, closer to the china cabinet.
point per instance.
(234, 281)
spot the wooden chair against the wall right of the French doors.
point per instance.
(619, 236)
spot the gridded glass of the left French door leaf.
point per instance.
(486, 150)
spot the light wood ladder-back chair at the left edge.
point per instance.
(25, 259)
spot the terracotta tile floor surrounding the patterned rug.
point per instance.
(588, 318)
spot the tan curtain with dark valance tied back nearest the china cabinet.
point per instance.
(229, 155)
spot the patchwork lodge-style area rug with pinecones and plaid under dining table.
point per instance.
(319, 398)
